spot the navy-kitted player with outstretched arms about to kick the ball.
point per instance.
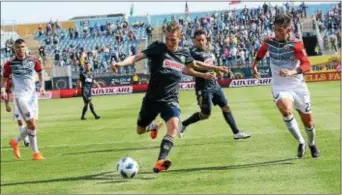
(168, 62)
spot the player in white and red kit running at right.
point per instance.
(288, 64)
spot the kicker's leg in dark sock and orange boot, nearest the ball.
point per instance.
(170, 113)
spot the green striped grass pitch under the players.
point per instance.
(81, 155)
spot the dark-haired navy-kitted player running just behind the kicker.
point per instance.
(209, 92)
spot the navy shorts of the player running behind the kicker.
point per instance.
(206, 98)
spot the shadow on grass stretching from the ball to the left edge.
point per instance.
(107, 177)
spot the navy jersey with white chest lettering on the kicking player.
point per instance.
(166, 71)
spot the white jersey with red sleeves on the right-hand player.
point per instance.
(285, 55)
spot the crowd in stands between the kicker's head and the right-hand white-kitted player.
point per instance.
(235, 36)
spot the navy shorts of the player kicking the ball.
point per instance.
(150, 110)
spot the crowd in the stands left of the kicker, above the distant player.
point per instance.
(113, 42)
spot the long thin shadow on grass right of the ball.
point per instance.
(228, 167)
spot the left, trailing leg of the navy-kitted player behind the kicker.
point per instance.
(204, 101)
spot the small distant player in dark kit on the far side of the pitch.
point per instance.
(86, 82)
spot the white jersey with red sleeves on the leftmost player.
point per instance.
(23, 75)
